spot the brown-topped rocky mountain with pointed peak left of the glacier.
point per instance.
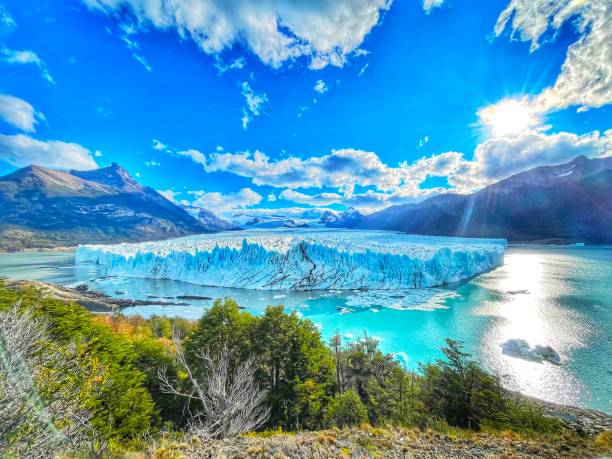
(41, 207)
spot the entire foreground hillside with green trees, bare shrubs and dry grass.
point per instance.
(86, 385)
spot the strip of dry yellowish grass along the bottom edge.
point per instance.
(371, 442)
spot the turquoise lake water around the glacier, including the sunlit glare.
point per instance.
(560, 297)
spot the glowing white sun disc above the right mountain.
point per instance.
(508, 117)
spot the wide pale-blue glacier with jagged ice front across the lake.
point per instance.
(299, 260)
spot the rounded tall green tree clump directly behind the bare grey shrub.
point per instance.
(295, 366)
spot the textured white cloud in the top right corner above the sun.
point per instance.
(586, 75)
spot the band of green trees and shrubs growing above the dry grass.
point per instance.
(104, 371)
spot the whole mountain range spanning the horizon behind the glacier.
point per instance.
(567, 203)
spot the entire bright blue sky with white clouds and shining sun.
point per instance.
(237, 105)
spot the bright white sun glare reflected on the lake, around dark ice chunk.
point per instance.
(528, 310)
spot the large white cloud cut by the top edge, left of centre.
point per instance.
(276, 30)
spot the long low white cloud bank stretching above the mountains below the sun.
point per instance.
(382, 185)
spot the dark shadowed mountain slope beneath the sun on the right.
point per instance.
(565, 203)
